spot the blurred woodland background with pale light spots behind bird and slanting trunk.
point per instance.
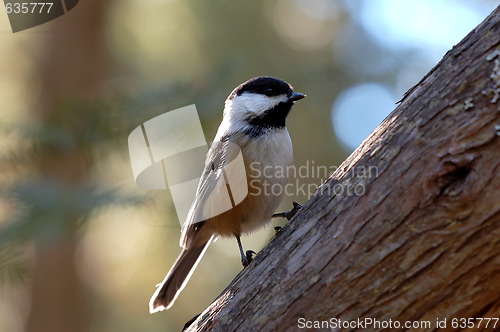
(81, 246)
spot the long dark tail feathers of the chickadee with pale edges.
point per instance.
(178, 276)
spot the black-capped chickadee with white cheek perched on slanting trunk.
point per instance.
(251, 142)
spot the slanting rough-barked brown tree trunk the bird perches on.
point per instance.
(422, 242)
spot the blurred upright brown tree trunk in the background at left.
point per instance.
(71, 71)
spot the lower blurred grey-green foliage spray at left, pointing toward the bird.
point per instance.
(48, 209)
